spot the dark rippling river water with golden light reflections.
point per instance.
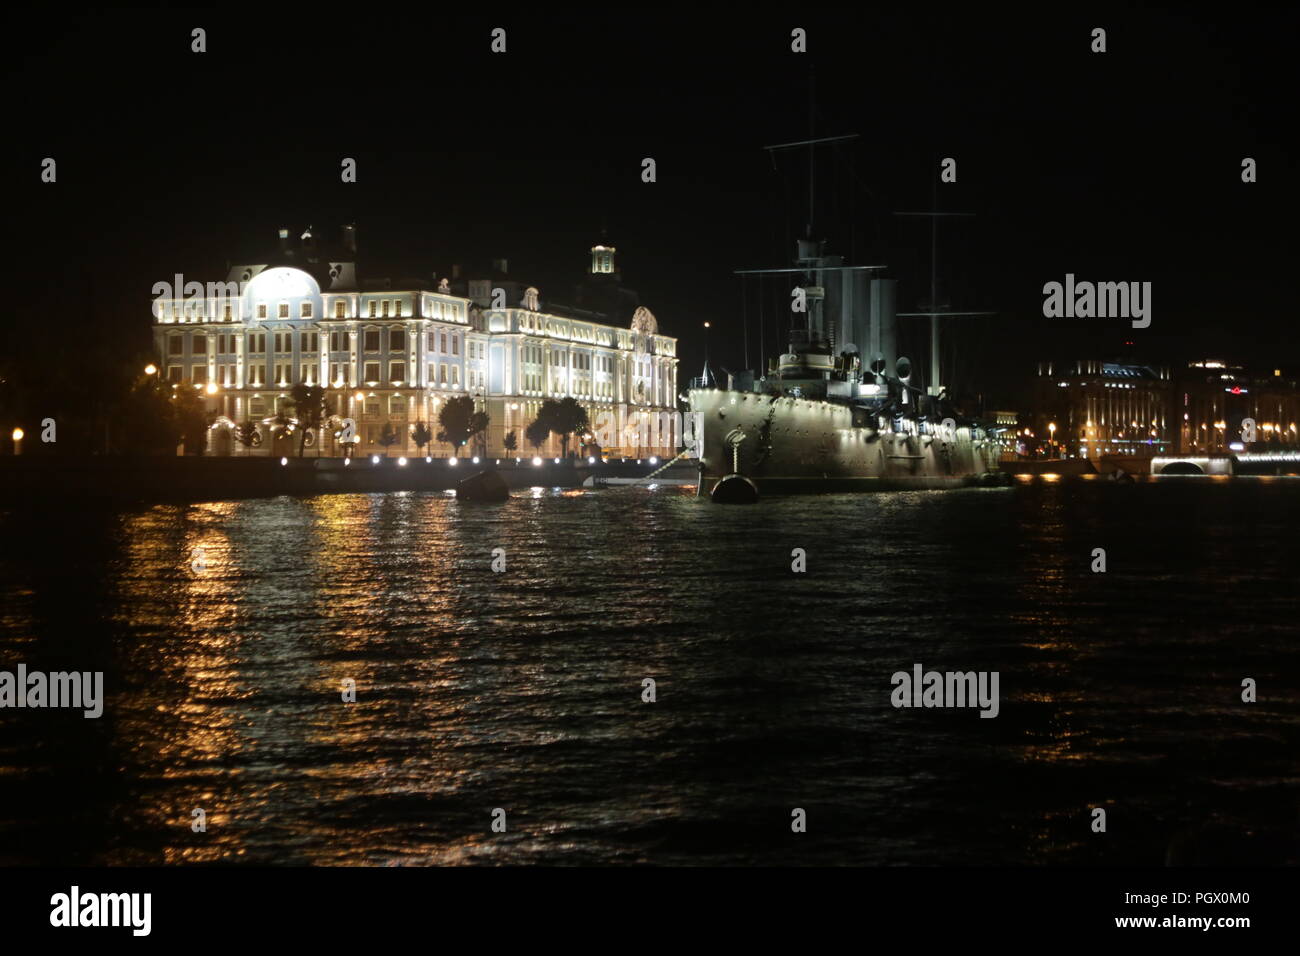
(522, 690)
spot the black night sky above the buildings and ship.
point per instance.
(1117, 167)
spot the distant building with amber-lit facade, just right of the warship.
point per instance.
(1094, 408)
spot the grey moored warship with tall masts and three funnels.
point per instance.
(839, 410)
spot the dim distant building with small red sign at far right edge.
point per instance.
(1217, 399)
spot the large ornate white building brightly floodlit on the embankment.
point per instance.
(392, 352)
